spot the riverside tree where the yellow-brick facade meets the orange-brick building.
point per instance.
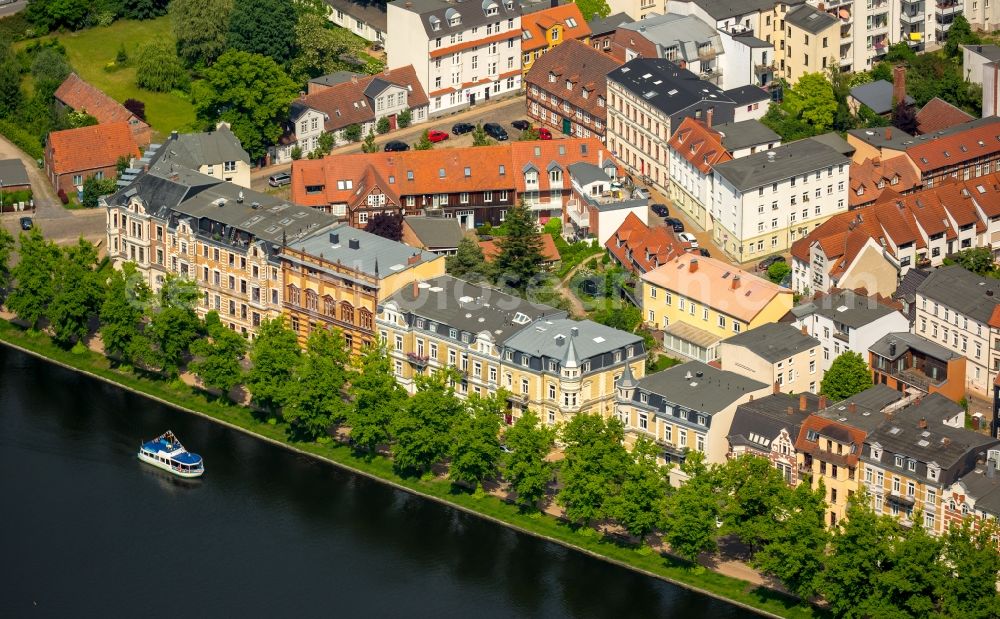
(274, 356)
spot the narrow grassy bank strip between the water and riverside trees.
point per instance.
(711, 582)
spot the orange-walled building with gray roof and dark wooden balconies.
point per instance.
(913, 364)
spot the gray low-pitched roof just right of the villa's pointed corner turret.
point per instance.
(709, 392)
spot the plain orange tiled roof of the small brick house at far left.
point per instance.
(89, 148)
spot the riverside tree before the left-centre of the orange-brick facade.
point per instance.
(315, 400)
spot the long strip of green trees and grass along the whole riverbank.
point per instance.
(321, 400)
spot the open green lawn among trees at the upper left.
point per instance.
(90, 50)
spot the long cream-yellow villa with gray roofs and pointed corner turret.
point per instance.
(544, 361)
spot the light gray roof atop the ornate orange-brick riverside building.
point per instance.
(363, 251)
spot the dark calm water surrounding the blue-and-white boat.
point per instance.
(86, 530)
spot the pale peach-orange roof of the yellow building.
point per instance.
(712, 284)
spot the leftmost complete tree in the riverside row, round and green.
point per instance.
(34, 277)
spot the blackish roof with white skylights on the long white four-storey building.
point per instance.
(678, 88)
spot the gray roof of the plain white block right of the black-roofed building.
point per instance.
(780, 163)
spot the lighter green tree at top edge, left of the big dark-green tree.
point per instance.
(201, 29)
